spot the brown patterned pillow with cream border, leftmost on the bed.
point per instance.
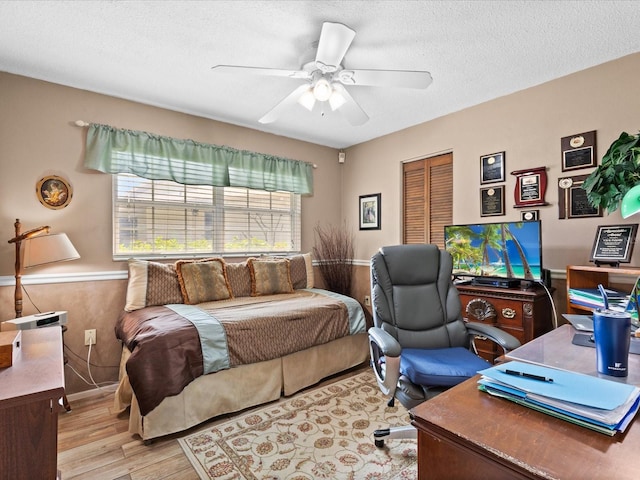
(151, 283)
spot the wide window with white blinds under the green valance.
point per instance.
(160, 218)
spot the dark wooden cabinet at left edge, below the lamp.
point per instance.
(30, 394)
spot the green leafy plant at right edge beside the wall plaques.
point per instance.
(618, 172)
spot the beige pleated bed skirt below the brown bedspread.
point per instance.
(240, 387)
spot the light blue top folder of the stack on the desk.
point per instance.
(567, 386)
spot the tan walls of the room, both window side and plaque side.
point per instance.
(37, 137)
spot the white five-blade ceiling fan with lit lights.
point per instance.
(326, 78)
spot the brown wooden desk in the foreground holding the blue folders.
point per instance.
(464, 433)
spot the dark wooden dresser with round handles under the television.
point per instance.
(524, 313)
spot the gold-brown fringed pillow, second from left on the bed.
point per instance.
(203, 280)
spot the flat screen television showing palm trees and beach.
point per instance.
(504, 250)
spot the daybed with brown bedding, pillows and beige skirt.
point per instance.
(202, 338)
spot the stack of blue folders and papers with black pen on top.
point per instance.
(602, 405)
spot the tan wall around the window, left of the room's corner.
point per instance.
(38, 137)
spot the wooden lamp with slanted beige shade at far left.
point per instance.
(40, 248)
